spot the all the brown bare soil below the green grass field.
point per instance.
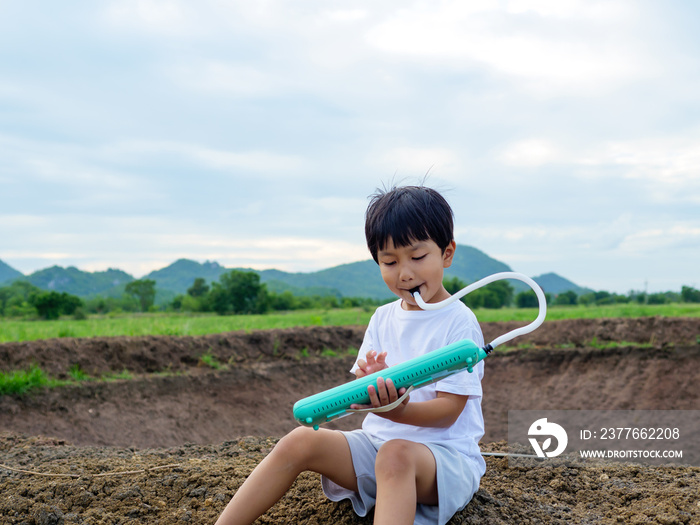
(173, 447)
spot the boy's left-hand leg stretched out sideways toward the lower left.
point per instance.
(324, 451)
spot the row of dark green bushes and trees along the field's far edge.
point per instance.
(240, 292)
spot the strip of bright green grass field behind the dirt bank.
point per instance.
(192, 325)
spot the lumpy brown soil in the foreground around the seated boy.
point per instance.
(193, 483)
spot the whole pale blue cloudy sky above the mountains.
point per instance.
(565, 133)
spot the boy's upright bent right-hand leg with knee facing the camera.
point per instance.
(406, 475)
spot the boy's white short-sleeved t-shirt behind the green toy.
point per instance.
(405, 334)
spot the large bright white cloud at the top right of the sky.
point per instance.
(470, 35)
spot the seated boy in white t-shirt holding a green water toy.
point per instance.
(419, 462)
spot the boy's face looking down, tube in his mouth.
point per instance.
(419, 265)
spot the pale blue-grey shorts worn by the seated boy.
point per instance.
(457, 479)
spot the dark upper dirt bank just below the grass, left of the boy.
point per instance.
(99, 356)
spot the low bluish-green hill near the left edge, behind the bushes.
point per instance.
(80, 283)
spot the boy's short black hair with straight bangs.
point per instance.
(407, 214)
